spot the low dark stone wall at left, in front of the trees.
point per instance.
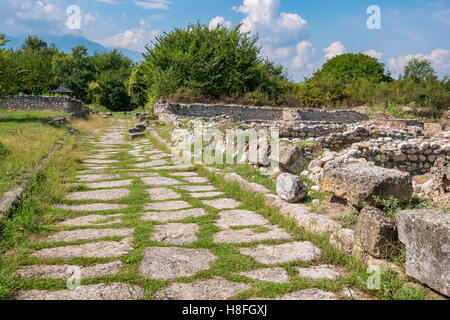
(65, 104)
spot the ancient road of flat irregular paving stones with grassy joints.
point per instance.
(140, 225)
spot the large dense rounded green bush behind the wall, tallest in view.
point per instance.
(200, 63)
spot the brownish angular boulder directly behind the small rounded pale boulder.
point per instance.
(291, 156)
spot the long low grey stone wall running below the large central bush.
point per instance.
(170, 111)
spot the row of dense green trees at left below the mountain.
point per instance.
(37, 69)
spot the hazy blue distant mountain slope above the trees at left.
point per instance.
(67, 42)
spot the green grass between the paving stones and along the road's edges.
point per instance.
(36, 217)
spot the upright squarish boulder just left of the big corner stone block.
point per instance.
(375, 233)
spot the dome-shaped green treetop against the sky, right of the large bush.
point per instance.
(350, 66)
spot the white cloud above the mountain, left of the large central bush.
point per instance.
(132, 39)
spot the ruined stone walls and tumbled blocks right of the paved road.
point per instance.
(361, 162)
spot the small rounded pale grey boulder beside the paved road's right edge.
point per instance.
(291, 188)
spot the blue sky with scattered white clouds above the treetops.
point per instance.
(299, 34)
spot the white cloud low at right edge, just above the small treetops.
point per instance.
(439, 58)
